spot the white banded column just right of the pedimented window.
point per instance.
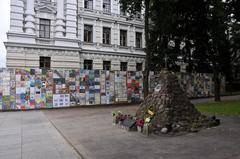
(60, 19)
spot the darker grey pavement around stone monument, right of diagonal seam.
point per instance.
(91, 132)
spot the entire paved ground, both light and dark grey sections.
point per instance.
(88, 133)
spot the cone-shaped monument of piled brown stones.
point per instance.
(171, 110)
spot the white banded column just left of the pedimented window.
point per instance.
(30, 19)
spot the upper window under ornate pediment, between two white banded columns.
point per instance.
(44, 28)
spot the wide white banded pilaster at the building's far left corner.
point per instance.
(16, 19)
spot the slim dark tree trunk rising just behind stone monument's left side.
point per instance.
(147, 51)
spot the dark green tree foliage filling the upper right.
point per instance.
(209, 30)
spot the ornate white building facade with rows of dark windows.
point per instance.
(74, 34)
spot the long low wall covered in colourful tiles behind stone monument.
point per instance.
(22, 89)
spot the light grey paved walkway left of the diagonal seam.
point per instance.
(30, 135)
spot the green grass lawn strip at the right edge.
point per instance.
(227, 108)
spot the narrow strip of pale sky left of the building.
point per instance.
(4, 28)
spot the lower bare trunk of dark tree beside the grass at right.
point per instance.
(217, 95)
